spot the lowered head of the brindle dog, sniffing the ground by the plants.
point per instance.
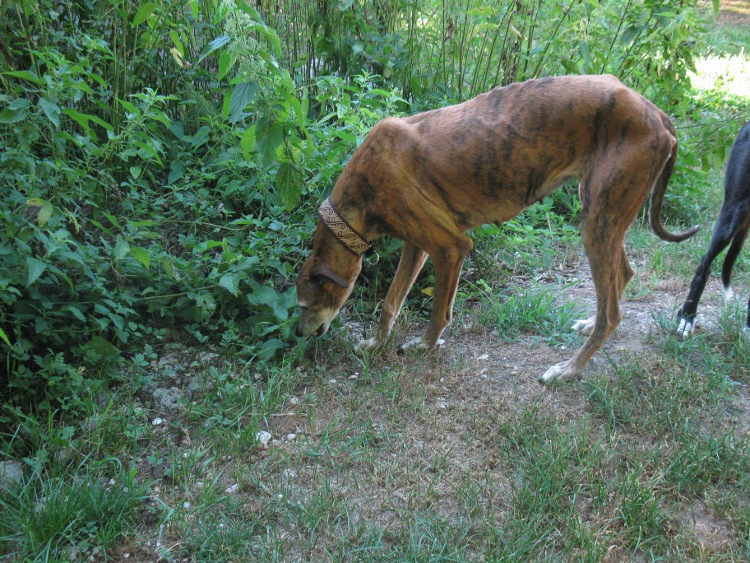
(320, 295)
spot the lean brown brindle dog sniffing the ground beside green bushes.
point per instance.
(428, 178)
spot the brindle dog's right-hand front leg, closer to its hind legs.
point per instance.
(448, 260)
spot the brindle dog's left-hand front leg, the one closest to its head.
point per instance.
(411, 263)
